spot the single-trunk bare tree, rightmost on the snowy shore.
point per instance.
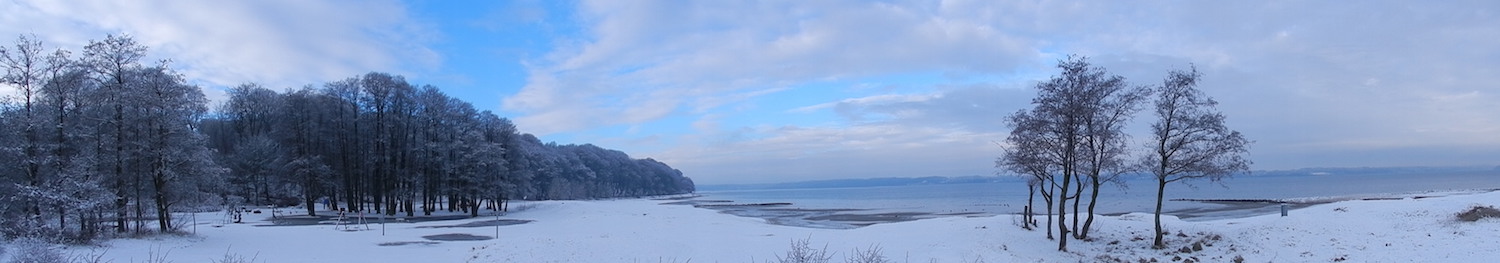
(1190, 139)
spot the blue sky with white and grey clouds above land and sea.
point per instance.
(754, 92)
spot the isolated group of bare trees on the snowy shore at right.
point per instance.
(1073, 142)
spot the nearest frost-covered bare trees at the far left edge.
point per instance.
(98, 130)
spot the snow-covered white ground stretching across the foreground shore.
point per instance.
(646, 231)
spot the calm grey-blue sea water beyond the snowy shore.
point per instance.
(1136, 196)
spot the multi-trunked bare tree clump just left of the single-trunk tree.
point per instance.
(1073, 139)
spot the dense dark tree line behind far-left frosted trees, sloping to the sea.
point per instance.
(380, 144)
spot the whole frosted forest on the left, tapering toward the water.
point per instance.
(106, 145)
